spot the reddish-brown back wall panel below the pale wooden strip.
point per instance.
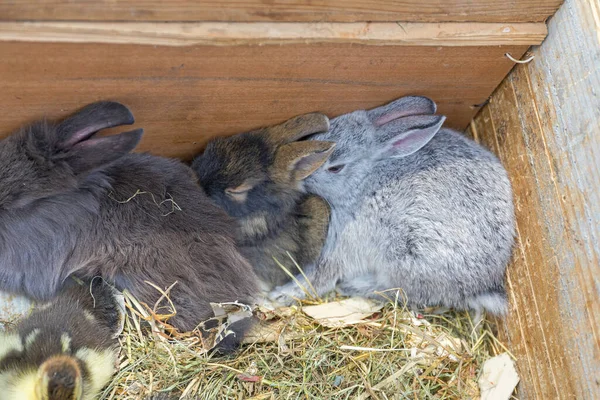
(183, 96)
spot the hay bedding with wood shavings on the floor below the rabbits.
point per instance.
(390, 355)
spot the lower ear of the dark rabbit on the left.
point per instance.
(94, 153)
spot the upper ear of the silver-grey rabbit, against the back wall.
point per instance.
(403, 107)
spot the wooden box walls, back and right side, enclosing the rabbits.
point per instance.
(192, 70)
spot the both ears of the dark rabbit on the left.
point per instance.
(83, 151)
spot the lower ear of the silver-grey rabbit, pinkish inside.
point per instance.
(404, 136)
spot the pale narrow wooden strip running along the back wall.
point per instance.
(238, 33)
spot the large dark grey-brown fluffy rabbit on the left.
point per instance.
(74, 203)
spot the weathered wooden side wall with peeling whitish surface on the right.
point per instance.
(544, 122)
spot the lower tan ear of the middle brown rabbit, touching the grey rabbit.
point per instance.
(297, 161)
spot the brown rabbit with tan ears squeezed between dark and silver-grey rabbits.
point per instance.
(257, 178)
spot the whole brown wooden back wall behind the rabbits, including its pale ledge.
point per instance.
(191, 70)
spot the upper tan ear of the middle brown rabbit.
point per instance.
(297, 128)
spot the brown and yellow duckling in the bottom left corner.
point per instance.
(66, 349)
